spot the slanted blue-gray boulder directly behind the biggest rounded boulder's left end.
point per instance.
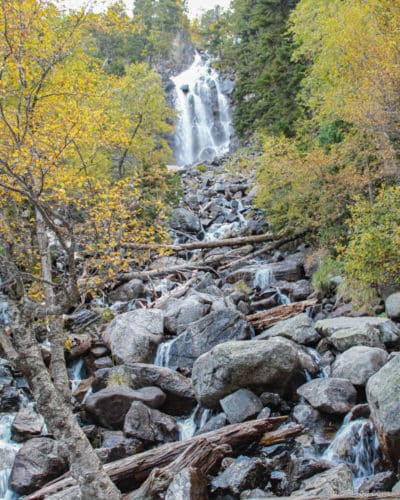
(201, 336)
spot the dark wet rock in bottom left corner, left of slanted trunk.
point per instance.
(37, 462)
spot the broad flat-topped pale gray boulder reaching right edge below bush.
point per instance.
(389, 333)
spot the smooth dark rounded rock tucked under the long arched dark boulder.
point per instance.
(109, 406)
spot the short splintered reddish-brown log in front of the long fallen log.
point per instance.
(202, 455)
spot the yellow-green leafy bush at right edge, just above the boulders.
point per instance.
(372, 257)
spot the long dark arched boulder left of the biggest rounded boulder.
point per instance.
(177, 388)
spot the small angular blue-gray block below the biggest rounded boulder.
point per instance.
(241, 405)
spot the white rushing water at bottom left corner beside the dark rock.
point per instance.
(8, 450)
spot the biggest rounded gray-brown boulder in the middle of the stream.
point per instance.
(275, 365)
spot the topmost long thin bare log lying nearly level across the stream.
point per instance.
(197, 245)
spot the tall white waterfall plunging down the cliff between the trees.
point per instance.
(204, 125)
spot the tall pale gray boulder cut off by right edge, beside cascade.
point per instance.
(383, 391)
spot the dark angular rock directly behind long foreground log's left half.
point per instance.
(151, 426)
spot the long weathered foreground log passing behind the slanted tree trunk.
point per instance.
(130, 472)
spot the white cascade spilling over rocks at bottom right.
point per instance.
(355, 444)
